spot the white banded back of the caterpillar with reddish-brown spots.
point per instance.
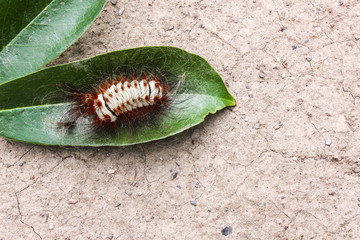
(126, 96)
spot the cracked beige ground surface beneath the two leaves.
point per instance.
(261, 167)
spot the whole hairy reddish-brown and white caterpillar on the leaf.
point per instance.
(122, 99)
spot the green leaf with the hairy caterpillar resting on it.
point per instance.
(29, 110)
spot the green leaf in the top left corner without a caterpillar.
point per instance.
(34, 32)
